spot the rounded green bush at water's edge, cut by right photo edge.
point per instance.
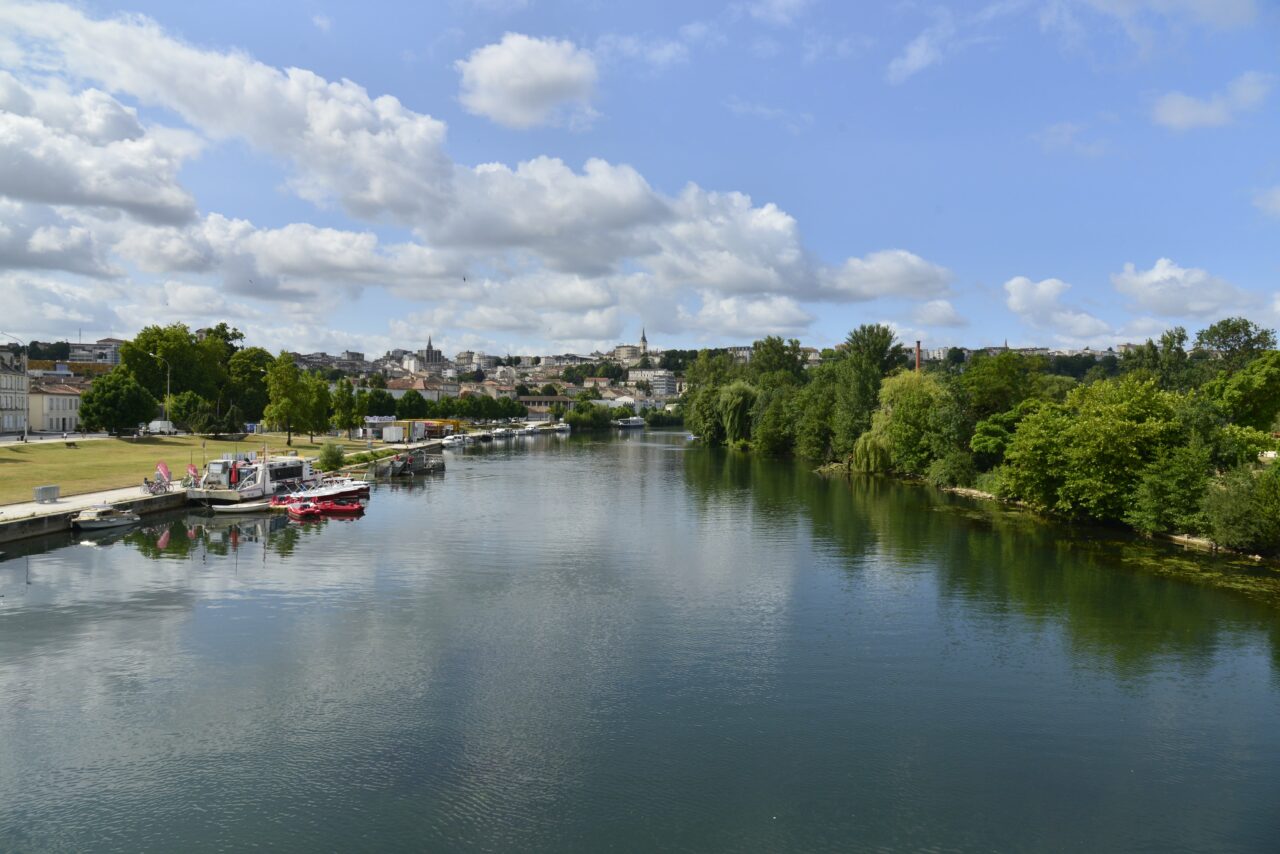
(1242, 510)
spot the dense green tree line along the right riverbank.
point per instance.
(1168, 439)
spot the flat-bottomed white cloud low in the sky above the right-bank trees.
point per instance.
(1172, 291)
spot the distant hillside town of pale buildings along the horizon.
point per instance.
(42, 385)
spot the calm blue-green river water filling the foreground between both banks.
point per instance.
(633, 645)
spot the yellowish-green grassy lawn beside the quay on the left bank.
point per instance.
(109, 464)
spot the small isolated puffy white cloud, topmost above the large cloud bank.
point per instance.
(524, 83)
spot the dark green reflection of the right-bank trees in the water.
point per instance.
(1122, 601)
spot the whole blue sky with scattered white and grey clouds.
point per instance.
(532, 176)
